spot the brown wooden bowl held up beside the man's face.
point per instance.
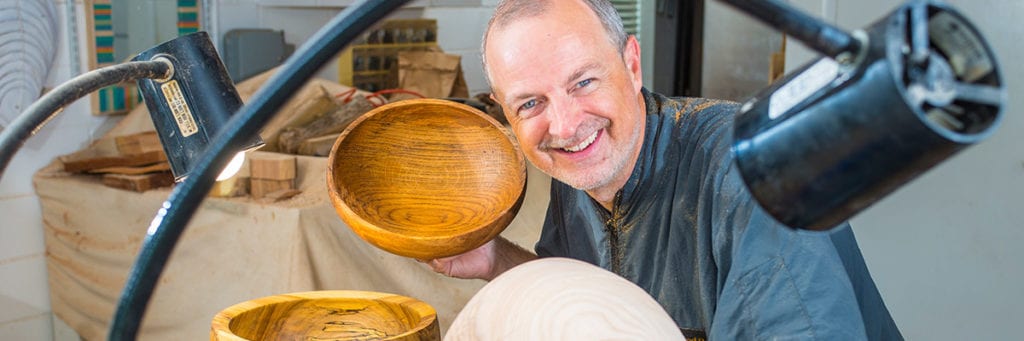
(426, 179)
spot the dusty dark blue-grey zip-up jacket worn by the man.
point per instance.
(687, 230)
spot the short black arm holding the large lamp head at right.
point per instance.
(821, 36)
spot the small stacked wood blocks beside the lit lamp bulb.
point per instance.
(273, 177)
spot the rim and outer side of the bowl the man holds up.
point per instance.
(504, 218)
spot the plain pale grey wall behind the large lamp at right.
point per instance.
(946, 250)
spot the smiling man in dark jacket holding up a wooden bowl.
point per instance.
(645, 187)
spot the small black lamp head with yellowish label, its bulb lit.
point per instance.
(190, 108)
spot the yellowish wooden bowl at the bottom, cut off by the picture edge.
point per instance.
(328, 316)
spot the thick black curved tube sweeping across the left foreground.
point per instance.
(170, 222)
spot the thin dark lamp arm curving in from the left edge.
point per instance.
(51, 105)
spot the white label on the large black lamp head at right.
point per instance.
(803, 87)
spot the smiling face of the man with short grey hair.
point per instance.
(572, 98)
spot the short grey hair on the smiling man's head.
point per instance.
(509, 12)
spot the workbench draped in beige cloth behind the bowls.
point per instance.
(235, 249)
